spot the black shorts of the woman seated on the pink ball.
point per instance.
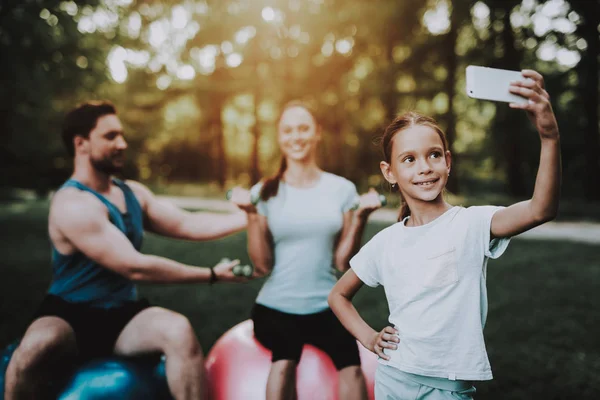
(285, 335)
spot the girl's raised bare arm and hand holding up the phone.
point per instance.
(543, 206)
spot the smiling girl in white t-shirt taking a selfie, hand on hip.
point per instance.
(433, 262)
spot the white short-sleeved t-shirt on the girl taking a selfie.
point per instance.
(434, 277)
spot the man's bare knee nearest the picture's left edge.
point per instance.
(47, 339)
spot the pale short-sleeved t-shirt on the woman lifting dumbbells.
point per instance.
(305, 223)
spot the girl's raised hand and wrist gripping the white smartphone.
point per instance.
(538, 107)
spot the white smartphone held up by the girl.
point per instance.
(492, 84)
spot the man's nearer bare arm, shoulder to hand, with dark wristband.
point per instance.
(83, 222)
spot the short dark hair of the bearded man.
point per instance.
(81, 120)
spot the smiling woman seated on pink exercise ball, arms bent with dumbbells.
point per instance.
(301, 227)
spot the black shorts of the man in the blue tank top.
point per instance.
(96, 329)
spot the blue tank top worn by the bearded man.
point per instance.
(77, 279)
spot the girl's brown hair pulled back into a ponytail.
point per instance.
(400, 123)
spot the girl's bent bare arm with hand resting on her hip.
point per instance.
(340, 301)
